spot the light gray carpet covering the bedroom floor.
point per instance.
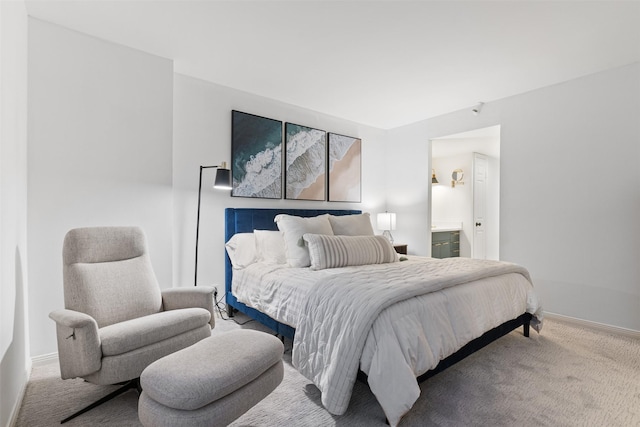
(566, 376)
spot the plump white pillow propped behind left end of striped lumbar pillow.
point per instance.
(293, 228)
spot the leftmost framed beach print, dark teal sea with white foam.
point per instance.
(256, 156)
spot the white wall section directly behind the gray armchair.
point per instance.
(100, 153)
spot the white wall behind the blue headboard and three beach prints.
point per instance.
(202, 136)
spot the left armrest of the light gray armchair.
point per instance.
(79, 348)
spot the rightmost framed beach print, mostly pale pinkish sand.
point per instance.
(345, 164)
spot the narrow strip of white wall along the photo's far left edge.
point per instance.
(14, 347)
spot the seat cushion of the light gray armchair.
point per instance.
(143, 331)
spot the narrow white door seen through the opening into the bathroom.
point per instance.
(480, 165)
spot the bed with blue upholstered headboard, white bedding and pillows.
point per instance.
(392, 322)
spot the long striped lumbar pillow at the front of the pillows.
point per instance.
(341, 251)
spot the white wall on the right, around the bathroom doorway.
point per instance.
(570, 189)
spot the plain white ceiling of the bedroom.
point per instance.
(379, 63)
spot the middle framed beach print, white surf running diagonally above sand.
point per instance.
(305, 162)
